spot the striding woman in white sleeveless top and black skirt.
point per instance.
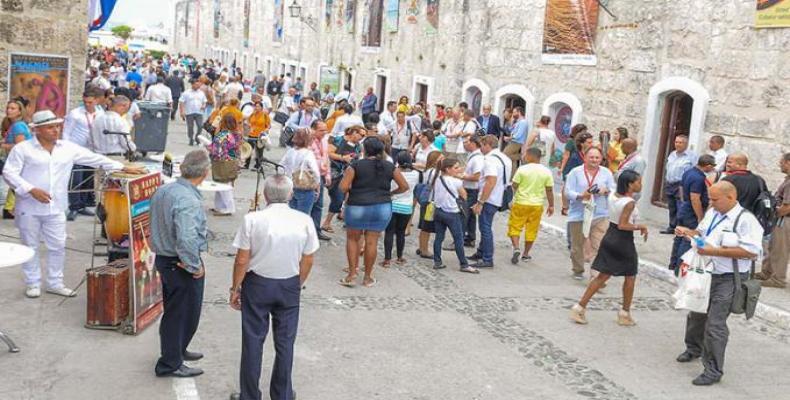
(617, 254)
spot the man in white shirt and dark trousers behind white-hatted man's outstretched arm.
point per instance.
(76, 129)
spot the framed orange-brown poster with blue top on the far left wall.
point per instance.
(41, 79)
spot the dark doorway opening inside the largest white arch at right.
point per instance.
(675, 121)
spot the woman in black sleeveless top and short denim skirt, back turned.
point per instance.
(368, 207)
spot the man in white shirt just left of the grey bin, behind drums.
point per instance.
(110, 134)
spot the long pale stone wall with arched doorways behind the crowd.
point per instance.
(707, 48)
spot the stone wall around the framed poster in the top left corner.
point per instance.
(56, 27)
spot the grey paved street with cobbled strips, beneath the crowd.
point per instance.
(420, 334)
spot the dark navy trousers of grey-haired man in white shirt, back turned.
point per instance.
(262, 298)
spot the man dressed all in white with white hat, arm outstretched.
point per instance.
(39, 171)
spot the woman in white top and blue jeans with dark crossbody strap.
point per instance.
(447, 189)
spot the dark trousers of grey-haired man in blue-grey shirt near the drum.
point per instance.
(183, 299)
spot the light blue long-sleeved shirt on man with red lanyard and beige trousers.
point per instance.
(576, 184)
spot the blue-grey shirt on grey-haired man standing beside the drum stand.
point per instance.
(178, 223)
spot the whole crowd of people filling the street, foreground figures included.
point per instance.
(383, 170)
